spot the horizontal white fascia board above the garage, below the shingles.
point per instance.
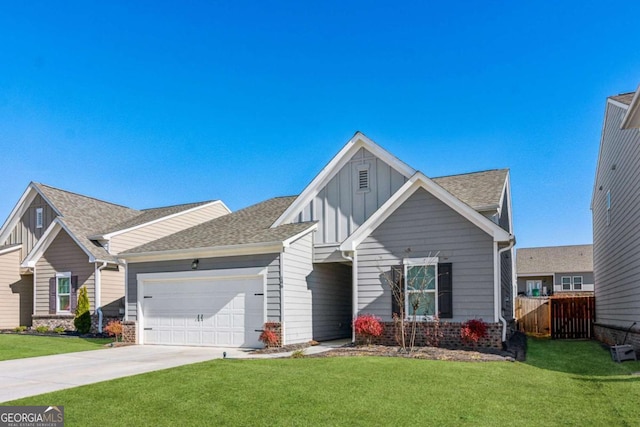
(214, 252)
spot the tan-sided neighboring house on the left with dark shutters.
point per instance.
(55, 242)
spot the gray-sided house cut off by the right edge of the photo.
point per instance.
(615, 207)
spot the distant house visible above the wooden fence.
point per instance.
(555, 270)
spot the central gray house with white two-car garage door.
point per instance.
(310, 264)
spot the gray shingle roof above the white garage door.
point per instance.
(246, 226)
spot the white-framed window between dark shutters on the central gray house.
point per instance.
(421, 287)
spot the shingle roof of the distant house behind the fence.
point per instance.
(554, 259)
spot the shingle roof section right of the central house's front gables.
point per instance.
(480, 190)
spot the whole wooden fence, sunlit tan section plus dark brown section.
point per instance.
(561, 317)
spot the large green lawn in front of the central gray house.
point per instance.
(563, 383)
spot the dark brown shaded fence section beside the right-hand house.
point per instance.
(572, 318)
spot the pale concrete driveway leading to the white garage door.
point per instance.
(29, 377)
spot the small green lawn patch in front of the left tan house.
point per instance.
(14, 346)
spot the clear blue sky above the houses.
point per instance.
(159, 103)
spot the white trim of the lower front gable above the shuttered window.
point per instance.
(417, 181)
